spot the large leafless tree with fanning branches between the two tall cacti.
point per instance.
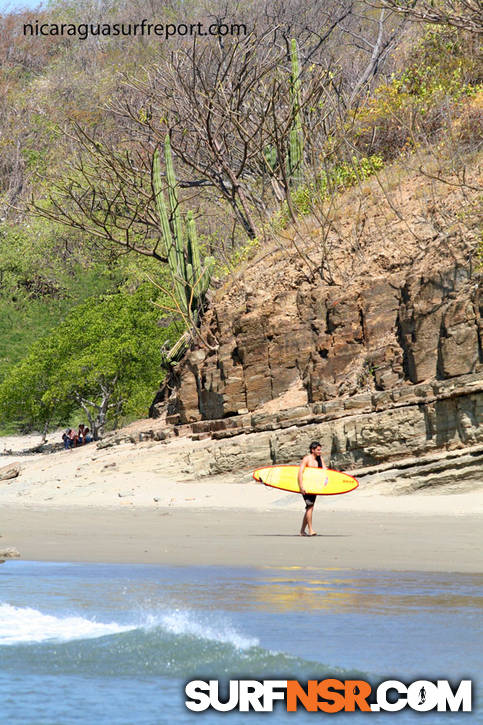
(219, 104)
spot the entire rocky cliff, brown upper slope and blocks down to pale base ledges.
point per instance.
(381, 360)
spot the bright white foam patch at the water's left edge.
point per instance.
(24, 625)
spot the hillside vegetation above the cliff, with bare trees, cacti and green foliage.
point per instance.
(138, 174)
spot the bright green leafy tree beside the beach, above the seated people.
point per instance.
(105, 359)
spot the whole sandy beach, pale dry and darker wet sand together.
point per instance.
(132, 503)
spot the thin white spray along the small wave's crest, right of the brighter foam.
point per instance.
(188, 623)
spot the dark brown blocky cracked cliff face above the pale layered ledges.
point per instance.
(327, 342)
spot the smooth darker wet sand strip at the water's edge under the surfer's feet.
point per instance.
(347, 539)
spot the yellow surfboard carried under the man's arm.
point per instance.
(321, 481)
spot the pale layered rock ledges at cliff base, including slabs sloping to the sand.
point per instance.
(410, 438)
